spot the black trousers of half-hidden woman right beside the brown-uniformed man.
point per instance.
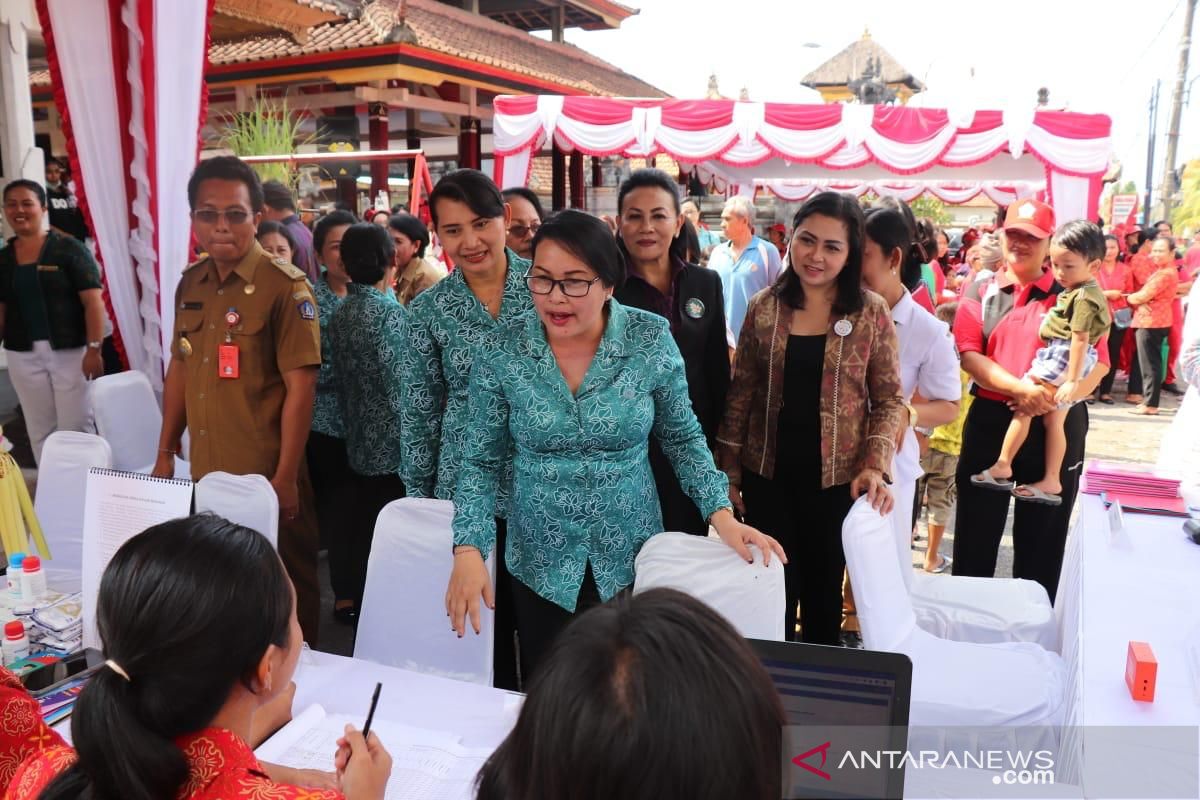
(333, 489)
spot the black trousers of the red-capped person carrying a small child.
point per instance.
(1040, 532)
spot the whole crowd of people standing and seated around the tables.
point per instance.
(574, 386)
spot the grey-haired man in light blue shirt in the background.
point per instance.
(746, 263)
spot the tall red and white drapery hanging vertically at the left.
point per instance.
(129, 85)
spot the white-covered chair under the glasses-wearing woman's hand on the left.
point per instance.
(404, 619)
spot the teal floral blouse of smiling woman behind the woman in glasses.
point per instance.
(446, 323)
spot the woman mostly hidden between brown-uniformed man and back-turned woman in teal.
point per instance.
(326, 449)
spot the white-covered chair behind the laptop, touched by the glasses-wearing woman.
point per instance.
(748, 596)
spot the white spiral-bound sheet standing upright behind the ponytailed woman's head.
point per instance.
(117, 508)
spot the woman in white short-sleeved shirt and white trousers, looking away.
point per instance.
(929, 364)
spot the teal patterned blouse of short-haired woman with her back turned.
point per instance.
(368, 334)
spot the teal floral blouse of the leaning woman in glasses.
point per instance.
(583, 488)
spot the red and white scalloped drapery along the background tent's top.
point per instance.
(748, 142)
